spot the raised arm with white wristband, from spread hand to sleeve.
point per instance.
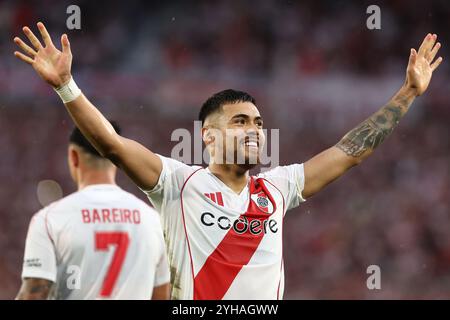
(54, 67)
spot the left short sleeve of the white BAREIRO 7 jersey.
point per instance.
(39, 258)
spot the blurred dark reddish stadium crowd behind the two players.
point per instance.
(316, 71)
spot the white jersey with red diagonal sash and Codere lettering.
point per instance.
(224, 245)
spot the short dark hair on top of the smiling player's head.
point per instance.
(218, 99)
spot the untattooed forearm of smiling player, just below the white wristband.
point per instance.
(94, 126)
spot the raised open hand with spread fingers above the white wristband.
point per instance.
(51, 64)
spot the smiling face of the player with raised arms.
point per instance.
(234, 134)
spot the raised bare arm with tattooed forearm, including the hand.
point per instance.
(360, 142)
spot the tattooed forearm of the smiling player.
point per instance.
(360, 142)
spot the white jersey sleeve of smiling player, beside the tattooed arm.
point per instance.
(290, 180)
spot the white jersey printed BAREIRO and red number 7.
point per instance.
(97, 243)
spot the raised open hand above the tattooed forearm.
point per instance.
(421, 66)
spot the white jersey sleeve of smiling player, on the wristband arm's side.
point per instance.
(170, 182)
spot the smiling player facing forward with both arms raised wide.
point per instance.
(224, 227)
